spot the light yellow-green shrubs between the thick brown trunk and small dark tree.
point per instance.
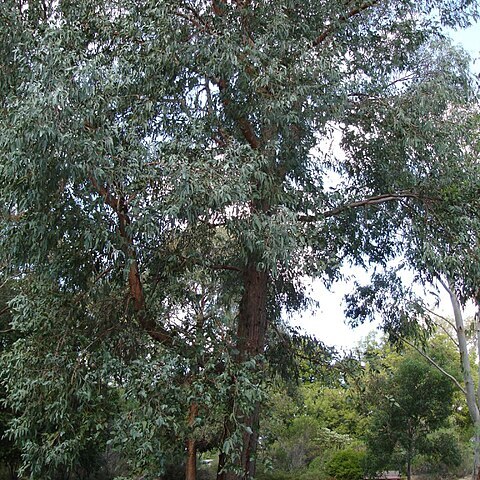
(301, 432)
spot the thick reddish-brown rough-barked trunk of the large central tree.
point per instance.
(251, 331)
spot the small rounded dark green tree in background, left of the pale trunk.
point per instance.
(409, 406)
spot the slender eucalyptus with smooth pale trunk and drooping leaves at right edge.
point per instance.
(441, 249)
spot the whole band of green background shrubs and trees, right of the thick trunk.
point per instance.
(393, 400)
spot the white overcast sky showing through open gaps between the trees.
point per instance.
(327, 322)
